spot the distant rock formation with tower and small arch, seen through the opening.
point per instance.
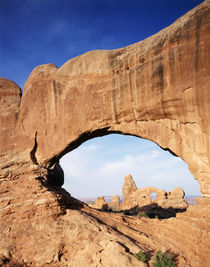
(149, 199)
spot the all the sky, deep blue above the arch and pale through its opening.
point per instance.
(35, 32)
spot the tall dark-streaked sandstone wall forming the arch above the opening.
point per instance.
(157, 89)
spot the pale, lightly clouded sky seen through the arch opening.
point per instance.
(99, 165)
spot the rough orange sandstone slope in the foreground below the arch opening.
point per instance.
(43, 225)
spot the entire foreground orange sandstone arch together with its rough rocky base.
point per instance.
(157, 89)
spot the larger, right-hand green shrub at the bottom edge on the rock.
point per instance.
(164, 260)
